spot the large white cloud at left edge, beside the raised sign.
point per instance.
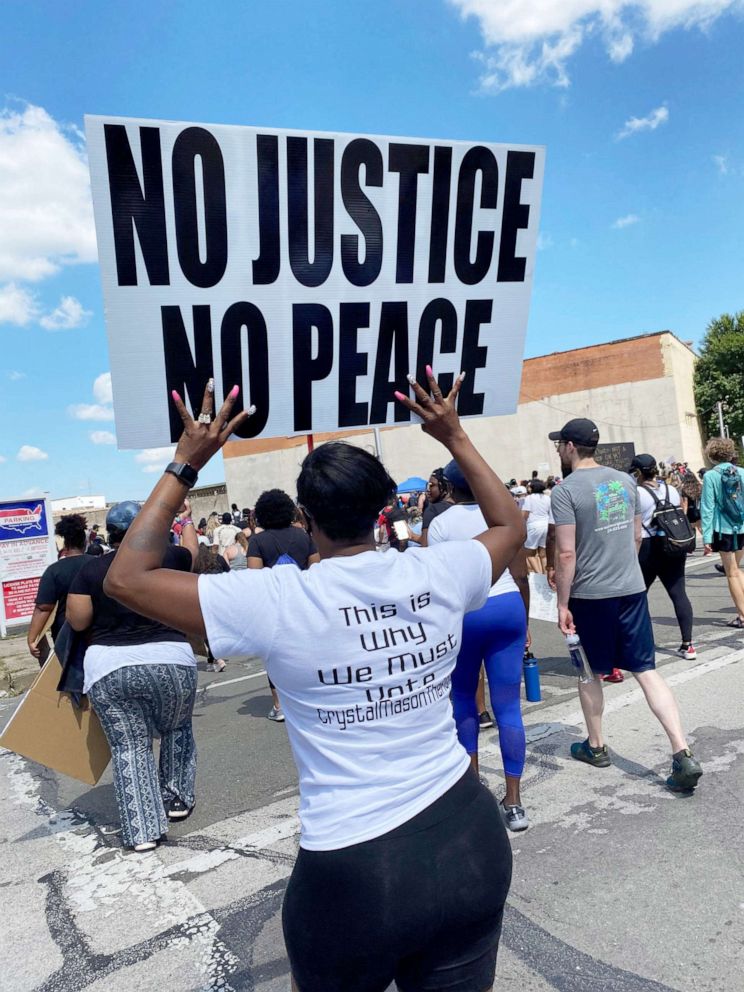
(46, 213)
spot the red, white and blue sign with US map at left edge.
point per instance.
(26, 548)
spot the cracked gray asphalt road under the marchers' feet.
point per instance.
(618, 885)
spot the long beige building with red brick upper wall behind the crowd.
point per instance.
(637, 390)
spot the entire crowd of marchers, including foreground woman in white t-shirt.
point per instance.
(411, 603)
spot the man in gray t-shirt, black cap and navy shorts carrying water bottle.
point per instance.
(602, 595)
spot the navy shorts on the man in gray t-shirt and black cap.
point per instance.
(615, 632)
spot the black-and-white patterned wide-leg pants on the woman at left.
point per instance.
(133, 703)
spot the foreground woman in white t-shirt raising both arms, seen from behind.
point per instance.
(404, 864)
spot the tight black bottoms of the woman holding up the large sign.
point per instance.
(421, 905)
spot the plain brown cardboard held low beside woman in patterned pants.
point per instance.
(47, 727)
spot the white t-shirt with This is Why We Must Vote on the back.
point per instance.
(361, 650)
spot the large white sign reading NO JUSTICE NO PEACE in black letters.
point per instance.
(314, 270)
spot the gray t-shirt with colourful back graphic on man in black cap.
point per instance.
(602, 503)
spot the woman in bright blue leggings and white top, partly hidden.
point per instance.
(496, 636)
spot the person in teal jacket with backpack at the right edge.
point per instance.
(722, 512)
